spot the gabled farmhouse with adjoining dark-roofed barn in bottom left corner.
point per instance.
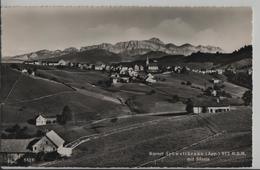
(12, 150)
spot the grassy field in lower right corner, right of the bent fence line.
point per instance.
(237, 138)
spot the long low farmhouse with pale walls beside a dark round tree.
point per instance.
(211, 106)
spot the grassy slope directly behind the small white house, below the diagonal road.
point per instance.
(85, 108)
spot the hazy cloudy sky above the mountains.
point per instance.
(28, 29)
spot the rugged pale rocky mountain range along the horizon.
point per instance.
(121, 51)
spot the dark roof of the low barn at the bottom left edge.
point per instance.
(15, 145)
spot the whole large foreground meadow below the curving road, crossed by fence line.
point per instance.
(132, 148)
